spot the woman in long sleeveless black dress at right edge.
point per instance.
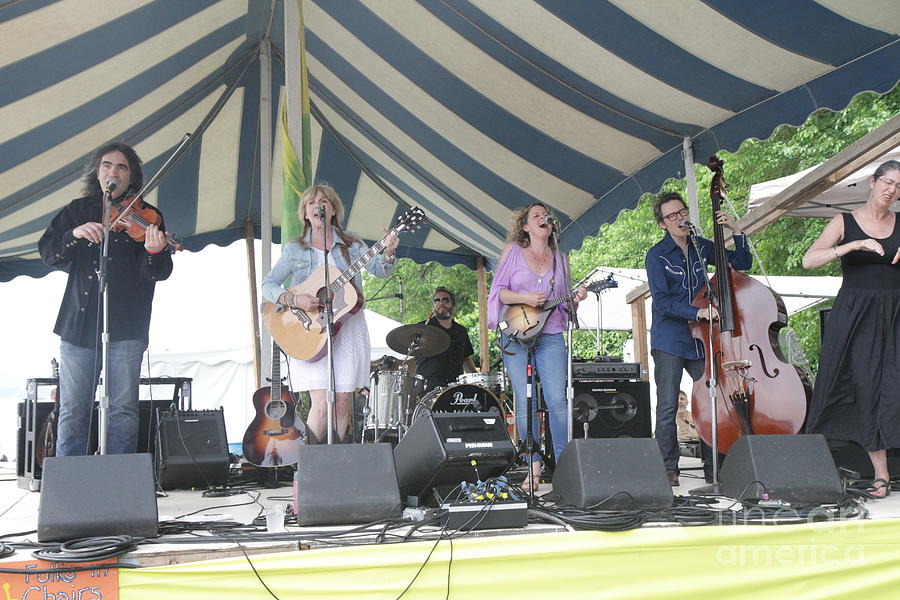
(857, 392)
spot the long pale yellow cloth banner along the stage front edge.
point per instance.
(821, 560)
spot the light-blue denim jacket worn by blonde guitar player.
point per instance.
(300, 262)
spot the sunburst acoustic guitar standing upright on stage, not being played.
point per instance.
(272, 438)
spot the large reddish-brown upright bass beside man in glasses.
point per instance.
(757, 390)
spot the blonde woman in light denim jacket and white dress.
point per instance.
(299, 260)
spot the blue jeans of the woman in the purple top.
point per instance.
(549, 362)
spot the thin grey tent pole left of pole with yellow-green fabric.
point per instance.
(265, 180)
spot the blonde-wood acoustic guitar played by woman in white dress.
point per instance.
(303, 334)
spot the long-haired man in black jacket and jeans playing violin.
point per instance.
(72, 242)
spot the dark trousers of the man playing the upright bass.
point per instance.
(667, 373)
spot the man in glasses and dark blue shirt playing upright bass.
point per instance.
(674, 274)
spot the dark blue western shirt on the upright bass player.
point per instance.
(673, 287)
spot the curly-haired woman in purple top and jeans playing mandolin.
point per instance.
(532, 271)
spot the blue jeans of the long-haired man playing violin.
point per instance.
(79, 369)
